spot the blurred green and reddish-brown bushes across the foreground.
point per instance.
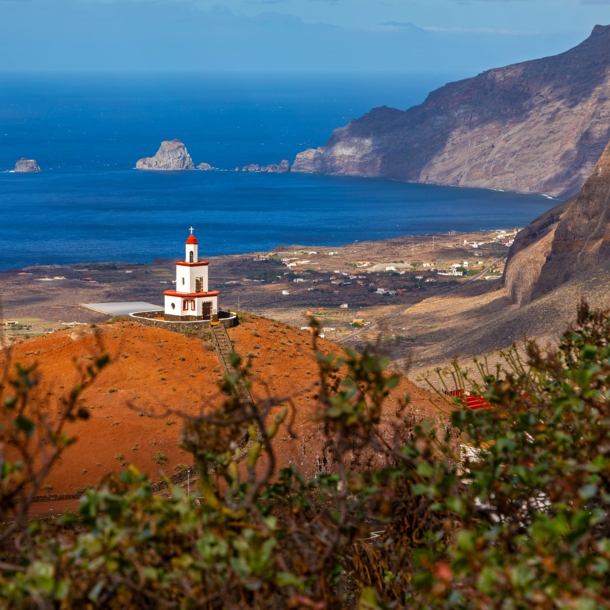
(522, 523)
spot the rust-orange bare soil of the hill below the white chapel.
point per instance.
(154, 370)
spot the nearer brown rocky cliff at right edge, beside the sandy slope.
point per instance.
(568, 241)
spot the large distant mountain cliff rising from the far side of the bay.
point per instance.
(539, 126)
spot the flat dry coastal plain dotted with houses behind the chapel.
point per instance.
(370, 279)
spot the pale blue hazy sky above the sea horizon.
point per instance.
(413, 36)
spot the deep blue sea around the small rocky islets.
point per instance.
(87, 131)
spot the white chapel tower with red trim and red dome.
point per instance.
(191, 300)
